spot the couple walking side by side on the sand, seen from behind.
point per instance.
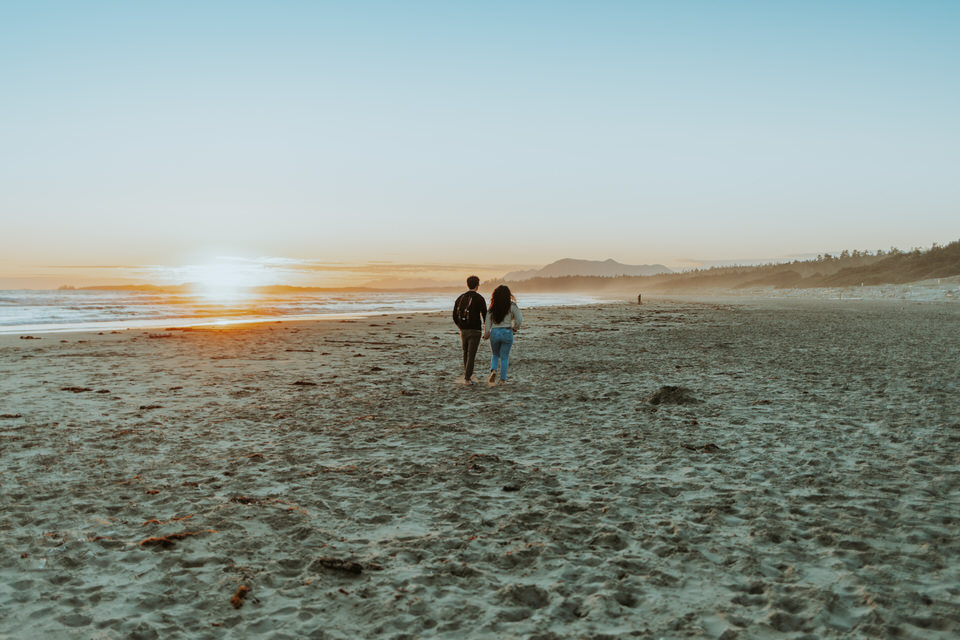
(499, 323)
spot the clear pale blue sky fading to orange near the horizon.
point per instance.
(165, 135)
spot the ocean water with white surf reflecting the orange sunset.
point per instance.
(44, 311)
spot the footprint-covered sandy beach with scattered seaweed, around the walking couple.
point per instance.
(806, 485)
